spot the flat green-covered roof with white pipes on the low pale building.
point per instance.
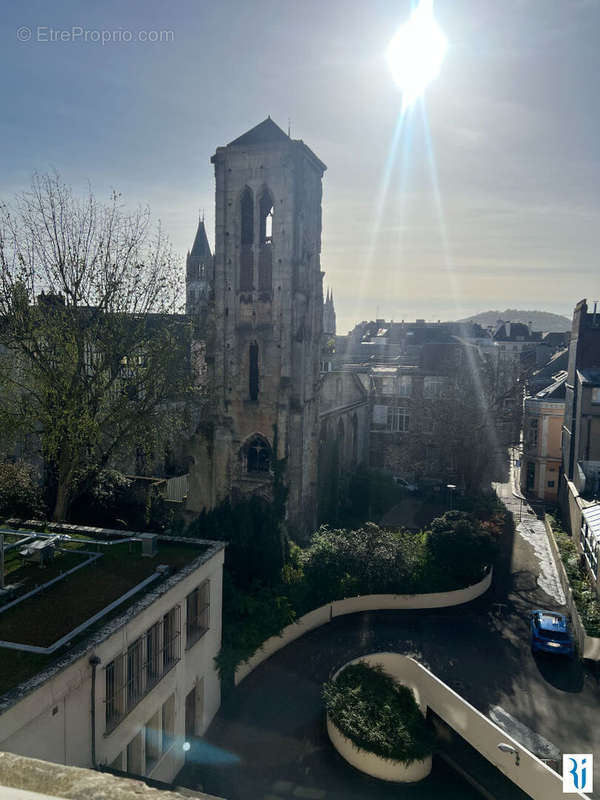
(62, 589)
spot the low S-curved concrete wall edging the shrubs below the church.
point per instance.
(352, 605)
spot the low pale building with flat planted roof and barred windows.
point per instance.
(112, 662)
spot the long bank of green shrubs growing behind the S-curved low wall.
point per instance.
(341, 563)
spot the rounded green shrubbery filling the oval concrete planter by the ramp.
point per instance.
(377, 714)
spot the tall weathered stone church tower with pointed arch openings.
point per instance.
(263, 353)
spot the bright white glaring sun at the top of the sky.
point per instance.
(416, 52)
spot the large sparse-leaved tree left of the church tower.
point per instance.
(92, 359)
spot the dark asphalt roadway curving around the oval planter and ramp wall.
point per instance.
(272, 727)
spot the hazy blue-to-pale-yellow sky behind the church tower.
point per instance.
(502, 208)
